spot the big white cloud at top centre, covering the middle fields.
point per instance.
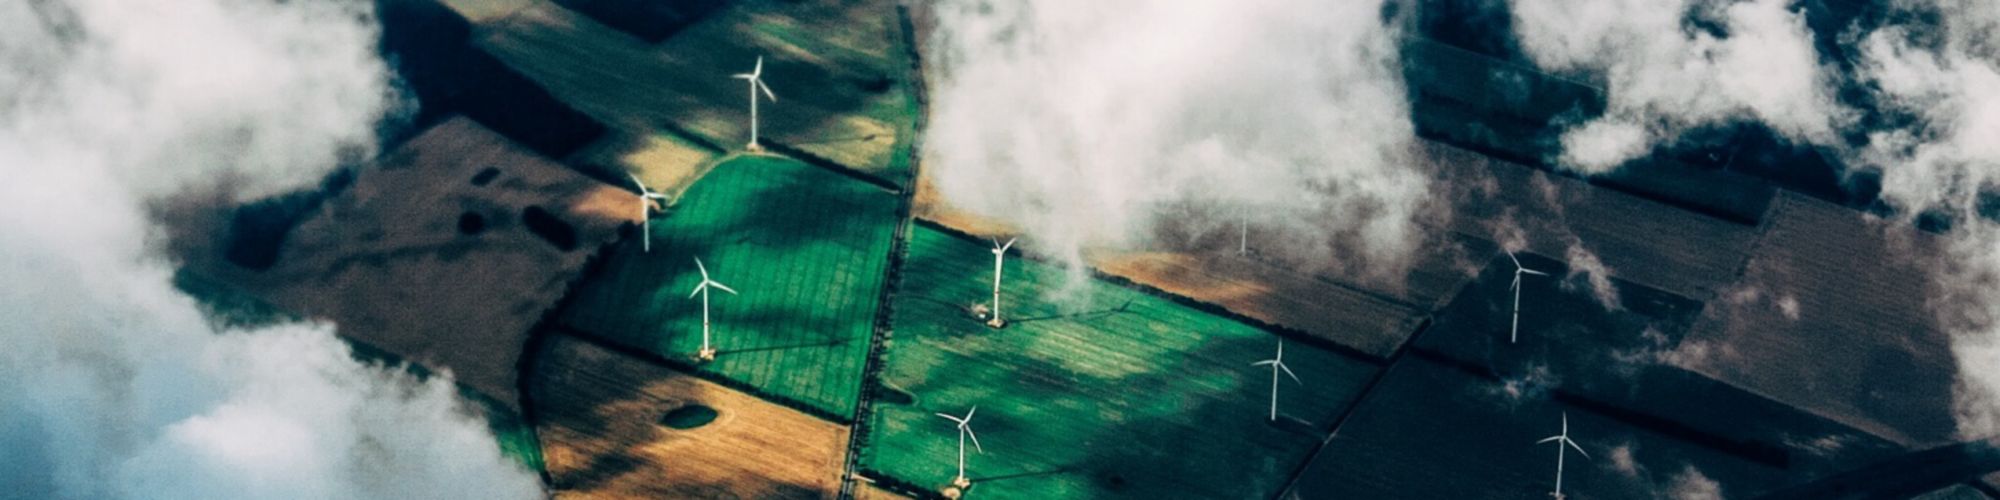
(1087, 121)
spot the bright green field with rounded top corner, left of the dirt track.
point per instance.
(803, 245)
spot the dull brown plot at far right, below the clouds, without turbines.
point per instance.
(1831, 311)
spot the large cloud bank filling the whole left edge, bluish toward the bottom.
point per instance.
(117, 387)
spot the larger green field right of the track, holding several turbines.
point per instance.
(1119, 395)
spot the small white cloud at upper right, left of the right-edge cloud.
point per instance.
(1663, 77)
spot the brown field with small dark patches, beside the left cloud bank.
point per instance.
(445, 253)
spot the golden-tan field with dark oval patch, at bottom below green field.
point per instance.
(619, 427)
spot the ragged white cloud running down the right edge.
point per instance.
(1943, 159)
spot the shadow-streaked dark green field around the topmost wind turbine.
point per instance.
(841, 75)
